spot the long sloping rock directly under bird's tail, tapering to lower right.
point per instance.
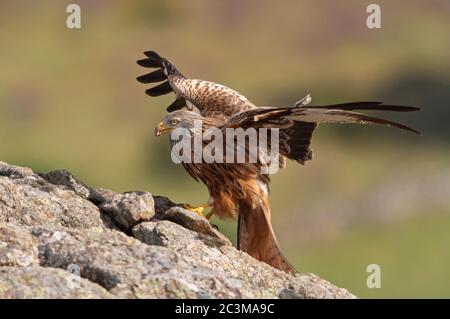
(227, 262)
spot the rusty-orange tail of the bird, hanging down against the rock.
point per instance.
(256, 236)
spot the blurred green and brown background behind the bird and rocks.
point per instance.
(69, 99)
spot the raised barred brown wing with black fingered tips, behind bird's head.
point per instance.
(211, 99)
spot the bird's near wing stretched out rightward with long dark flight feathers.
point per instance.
(297, 124)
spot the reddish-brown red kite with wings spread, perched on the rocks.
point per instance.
(240, 188)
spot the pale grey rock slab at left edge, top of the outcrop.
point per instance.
(28, 199)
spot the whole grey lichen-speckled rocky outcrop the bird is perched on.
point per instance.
(61, 239)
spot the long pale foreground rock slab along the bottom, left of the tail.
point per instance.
(129, 268)
